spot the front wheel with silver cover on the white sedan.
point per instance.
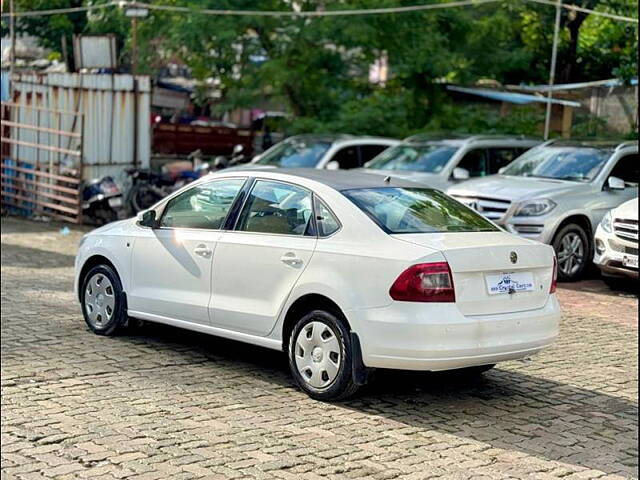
(102, 301)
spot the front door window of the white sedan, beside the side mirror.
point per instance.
(203, 206)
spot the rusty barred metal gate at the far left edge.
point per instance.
(41, 164)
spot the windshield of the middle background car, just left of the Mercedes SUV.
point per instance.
(429, 158)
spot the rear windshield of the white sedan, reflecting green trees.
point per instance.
(417, 210)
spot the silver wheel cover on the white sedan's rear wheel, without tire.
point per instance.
(317, 355)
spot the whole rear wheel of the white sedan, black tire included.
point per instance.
(321, 356)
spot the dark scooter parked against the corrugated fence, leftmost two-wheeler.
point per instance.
(102, 201)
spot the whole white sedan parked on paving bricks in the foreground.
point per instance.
(345, 272)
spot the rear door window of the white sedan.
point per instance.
(277, 208)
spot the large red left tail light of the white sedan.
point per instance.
(425, 282)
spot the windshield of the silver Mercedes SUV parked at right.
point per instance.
(578, 164)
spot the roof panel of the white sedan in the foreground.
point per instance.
(339, 180)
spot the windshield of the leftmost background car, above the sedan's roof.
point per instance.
(295, 153)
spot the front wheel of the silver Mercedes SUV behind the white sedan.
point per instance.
(572, 244)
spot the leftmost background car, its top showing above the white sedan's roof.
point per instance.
(323, 151)
